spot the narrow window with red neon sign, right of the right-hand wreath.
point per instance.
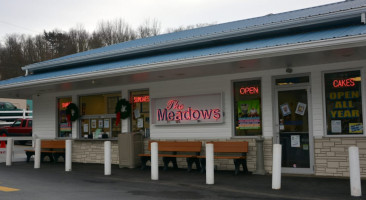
(140, 119)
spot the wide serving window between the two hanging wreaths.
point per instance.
(98, 119)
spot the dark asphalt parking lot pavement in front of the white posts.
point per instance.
(86, 181)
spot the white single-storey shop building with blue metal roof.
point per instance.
(295, 78)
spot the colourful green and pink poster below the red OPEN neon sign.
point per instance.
(249, 114)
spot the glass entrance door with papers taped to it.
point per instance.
(293, 129)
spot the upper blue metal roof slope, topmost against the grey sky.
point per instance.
(222, 28)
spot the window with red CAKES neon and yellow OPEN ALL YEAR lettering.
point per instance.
(343, 102)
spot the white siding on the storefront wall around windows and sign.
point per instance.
(45, 105)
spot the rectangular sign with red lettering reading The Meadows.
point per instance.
(187, 109)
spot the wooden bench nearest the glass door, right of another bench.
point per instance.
(222, 148)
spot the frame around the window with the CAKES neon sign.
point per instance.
(325, 130)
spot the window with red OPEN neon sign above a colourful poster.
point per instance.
(247, 108)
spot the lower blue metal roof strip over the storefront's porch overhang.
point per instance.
(203, 52)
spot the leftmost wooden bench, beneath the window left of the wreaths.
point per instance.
(49, 148)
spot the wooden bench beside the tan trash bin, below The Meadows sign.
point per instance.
(171, 150)
